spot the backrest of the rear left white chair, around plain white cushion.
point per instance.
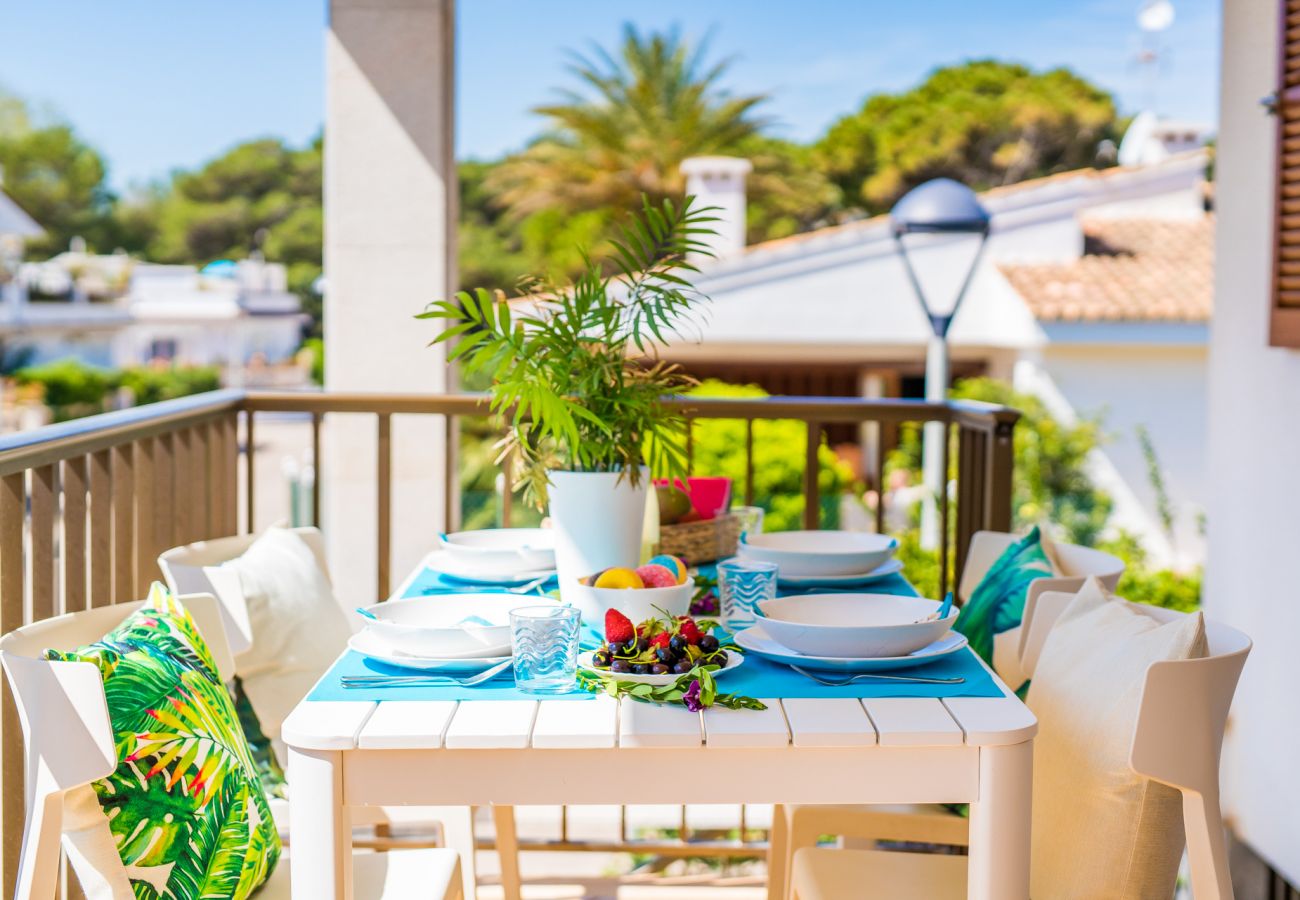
(197, 569)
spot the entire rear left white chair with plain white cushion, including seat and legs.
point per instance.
(197, 569)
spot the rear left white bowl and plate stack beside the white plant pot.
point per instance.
(499, 557)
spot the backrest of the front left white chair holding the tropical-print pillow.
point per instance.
(66, 726)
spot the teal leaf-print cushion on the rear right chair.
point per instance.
(998, 603)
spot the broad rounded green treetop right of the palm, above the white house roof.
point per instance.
(983, 123)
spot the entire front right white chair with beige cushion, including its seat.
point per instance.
(1177, 741)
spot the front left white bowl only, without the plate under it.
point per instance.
(448, 628)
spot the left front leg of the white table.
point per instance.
(320, 829)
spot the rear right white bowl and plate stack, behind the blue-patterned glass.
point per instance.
(825, 559)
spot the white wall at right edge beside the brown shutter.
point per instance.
(1254, 438)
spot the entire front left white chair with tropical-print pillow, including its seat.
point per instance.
(70, 745)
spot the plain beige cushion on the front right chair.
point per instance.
(1100, 830)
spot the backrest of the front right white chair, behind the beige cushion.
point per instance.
(1178, 738)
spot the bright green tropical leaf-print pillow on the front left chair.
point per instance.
(185, 804)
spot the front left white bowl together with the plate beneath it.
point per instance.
(461, 634)
